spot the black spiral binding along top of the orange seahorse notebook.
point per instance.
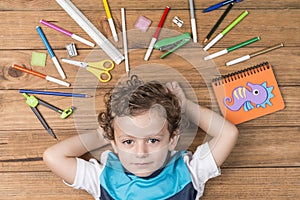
(223, 79)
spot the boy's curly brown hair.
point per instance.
(136, 97)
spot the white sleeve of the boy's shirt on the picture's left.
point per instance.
(88, 176)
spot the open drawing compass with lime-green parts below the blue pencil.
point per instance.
(33, 102)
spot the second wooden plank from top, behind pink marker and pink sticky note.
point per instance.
(262, 24)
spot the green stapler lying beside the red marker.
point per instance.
(172, 44)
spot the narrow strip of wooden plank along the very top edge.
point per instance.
(138, 5)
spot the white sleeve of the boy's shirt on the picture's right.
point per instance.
(202, 166)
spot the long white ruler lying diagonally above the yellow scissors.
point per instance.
(91, 30)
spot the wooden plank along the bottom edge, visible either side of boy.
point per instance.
(252, 183)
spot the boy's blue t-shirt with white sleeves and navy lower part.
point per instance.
(182, 178)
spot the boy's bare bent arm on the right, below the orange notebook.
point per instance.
(224, 134)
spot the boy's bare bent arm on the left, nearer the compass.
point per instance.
(61, 157)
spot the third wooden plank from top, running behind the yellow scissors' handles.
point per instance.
(286, 70)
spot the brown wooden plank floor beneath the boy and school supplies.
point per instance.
(265, 163)
